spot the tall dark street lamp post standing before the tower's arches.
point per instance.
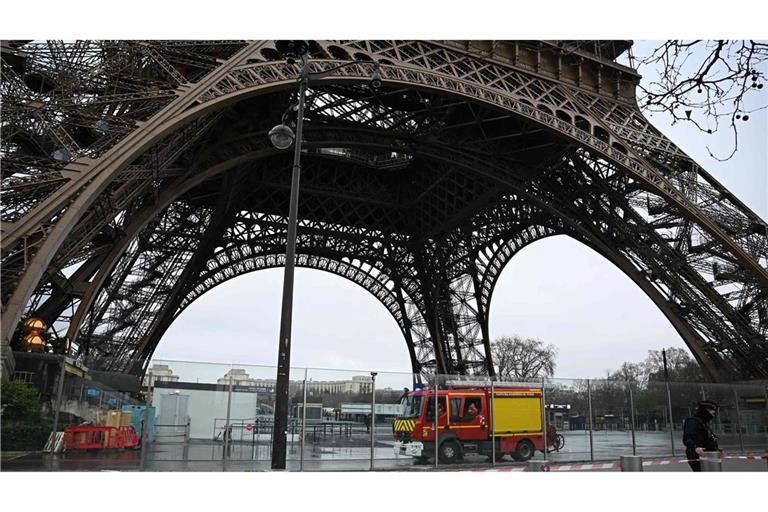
(282, 137)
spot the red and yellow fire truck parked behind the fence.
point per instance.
(469, 420)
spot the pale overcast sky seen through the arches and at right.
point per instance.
(556, 290)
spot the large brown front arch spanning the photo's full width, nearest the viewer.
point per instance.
(229, 83)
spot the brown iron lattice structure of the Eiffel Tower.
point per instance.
(143, 169)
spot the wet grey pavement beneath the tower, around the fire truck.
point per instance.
(353, 454)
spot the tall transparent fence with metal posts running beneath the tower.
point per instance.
(219, 417)
